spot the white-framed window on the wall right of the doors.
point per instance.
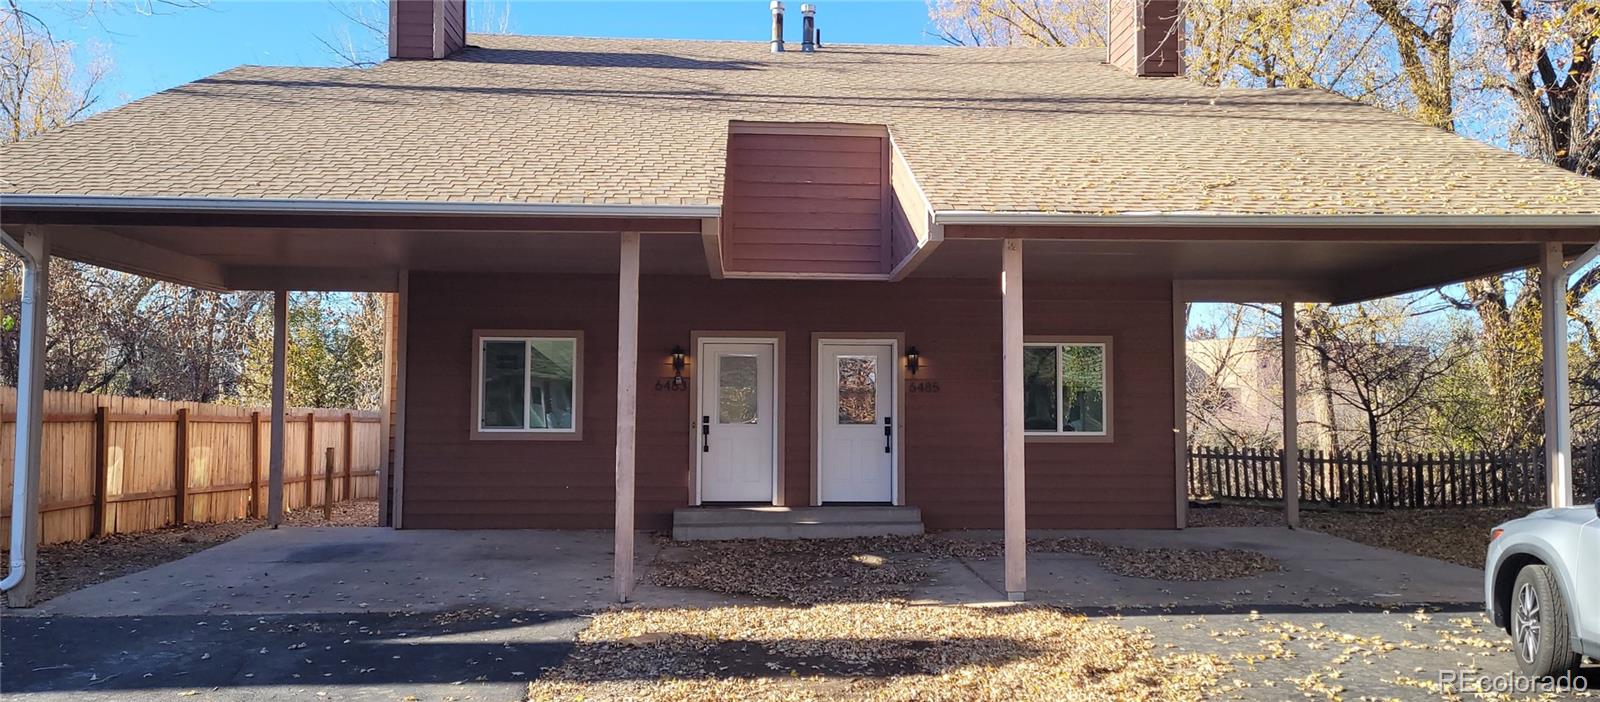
(1066, 388)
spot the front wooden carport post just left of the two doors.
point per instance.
(626, 412)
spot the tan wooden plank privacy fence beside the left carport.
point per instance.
(118, 465)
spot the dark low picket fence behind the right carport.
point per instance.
(1396, 481)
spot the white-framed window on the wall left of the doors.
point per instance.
(527, 385)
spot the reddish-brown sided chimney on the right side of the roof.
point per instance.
(1146, 38)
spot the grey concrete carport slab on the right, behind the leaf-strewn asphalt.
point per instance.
(1319, 572)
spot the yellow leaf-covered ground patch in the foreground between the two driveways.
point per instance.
(870, 652)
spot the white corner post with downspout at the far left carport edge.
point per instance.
(23, 576)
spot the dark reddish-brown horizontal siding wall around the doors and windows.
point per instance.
(953, 436)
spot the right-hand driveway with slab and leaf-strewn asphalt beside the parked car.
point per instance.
(1340, 621)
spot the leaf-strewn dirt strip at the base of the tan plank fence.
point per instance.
(76, 565)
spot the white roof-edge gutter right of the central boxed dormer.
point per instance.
(1236, 220)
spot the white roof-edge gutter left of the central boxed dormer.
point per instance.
(353, 207)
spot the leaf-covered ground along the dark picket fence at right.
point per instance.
(1450, 535)
